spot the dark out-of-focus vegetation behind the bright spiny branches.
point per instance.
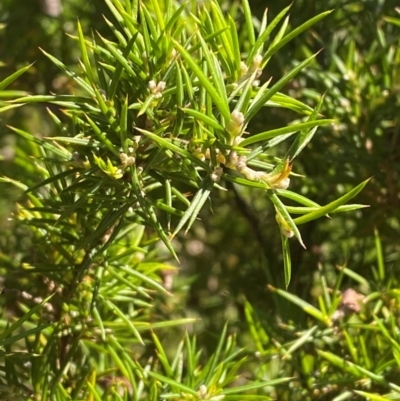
(230, 256)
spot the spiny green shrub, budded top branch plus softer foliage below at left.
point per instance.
(159, 119)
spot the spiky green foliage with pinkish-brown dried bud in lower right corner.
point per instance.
(349, 344)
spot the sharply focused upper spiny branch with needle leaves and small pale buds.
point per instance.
(161, 121)
